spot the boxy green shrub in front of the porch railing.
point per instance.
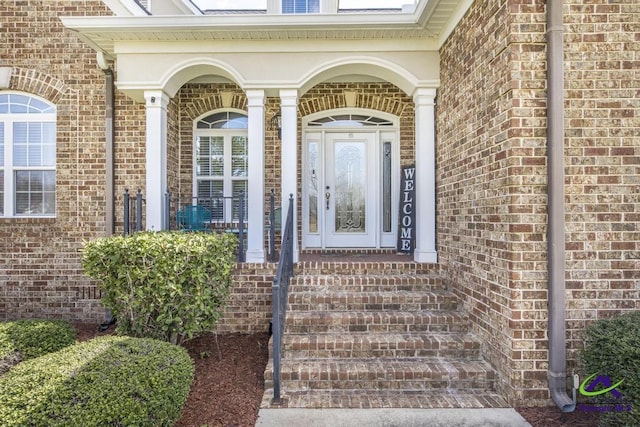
(169, 285)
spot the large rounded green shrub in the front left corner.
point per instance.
(115, 381)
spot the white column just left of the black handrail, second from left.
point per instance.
(255, 194)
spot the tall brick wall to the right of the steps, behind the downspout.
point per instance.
(492, 176)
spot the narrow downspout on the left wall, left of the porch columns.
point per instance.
(109, 138)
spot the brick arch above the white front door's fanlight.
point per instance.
(386, 98)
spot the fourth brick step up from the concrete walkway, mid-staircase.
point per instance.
(393, 321)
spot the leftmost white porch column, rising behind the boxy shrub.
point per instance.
(156, 158)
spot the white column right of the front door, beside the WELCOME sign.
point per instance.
(424, 99)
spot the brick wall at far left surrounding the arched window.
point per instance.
(40, 274)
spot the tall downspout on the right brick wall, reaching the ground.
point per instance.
(557, 371)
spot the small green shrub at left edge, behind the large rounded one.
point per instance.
(26, 339)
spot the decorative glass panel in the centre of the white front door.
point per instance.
(350, 187)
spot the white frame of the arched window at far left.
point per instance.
(9, 169)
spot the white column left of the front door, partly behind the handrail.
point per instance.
(289, 165)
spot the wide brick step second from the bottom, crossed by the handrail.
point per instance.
(381, 374)
